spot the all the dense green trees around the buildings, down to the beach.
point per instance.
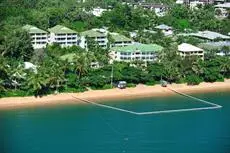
(69, 69)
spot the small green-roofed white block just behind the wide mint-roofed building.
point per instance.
(120, 40)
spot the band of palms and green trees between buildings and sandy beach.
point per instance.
(57, 74)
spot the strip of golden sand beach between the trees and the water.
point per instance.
(141, 91)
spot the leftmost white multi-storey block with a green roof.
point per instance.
(39, 37)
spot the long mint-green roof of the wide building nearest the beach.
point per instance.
(139, 47)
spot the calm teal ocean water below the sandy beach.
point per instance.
(91, 129)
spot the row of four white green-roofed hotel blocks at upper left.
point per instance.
(67, 37)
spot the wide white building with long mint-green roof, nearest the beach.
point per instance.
(136, 52)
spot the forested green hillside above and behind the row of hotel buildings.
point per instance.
(71, 13)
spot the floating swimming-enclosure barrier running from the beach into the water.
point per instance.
(213, 106)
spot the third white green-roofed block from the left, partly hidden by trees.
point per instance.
(98, 35)
